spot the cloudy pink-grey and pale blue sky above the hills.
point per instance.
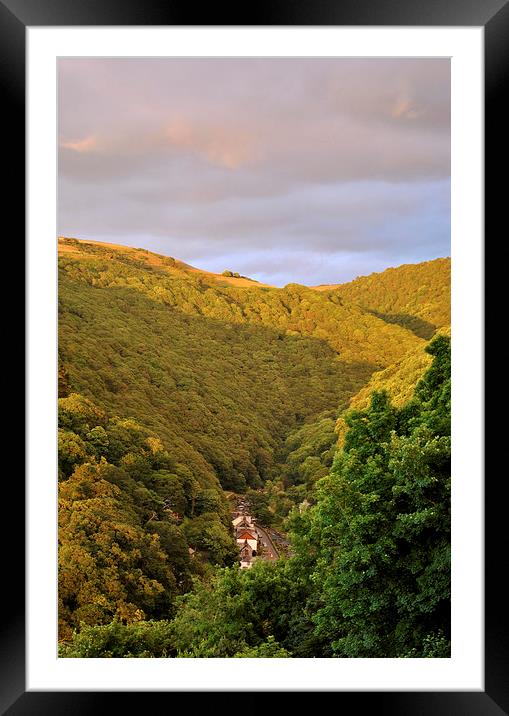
(300, 170)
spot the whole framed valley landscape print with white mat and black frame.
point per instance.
(253, 152)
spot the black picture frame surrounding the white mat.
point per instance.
(493, 15)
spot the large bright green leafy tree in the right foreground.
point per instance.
(381, 526)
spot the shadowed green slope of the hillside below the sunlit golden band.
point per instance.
(222, 397)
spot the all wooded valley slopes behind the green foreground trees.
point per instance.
(177, 384)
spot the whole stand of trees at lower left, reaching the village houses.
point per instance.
(122, 548)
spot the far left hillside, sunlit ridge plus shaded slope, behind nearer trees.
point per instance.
(221, 374)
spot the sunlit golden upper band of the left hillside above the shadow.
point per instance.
(352, 332)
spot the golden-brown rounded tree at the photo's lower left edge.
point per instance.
(108, 565)
